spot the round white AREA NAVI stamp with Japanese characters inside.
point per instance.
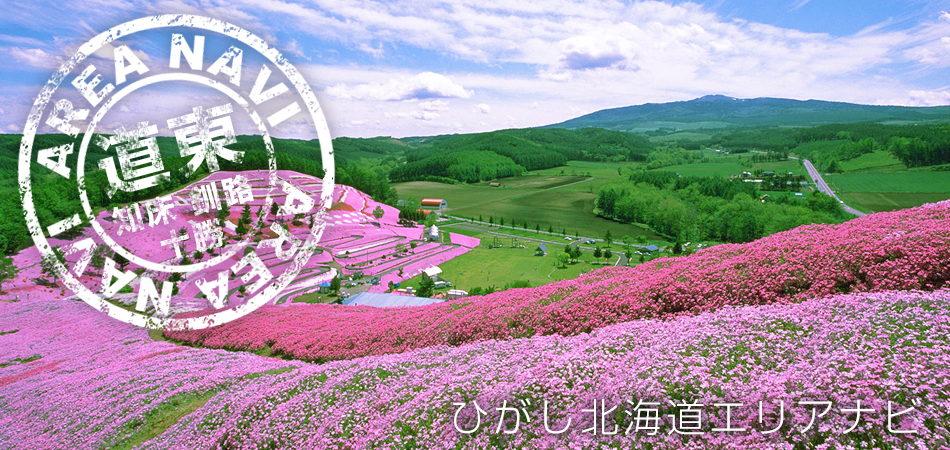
(182, 217)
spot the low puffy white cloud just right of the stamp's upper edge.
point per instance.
(426, 85)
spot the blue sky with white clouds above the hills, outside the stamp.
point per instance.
(431, 67)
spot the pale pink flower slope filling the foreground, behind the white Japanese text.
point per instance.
(73, 378)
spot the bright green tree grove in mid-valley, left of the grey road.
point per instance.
(708, 208)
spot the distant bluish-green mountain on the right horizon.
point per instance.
(719, 111)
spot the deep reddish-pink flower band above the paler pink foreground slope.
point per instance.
(908, 249)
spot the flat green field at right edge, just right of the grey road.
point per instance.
(888, 191)
